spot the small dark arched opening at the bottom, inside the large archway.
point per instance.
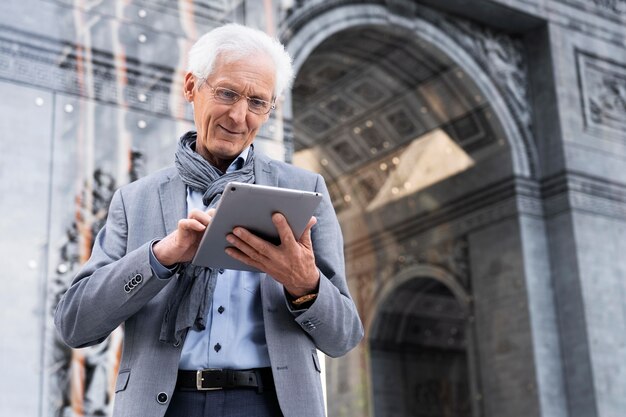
(421, 339)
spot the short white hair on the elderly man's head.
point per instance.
(233, 42)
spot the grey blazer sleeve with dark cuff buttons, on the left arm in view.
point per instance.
(112, 286)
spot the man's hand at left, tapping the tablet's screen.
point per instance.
(182, 243)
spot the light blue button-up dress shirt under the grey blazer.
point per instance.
(234, 337)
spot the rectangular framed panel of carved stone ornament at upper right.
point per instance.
(603, 91)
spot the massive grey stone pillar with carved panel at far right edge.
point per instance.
(586, 210)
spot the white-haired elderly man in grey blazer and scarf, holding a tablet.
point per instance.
(202, 341)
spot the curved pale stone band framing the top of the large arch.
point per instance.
(506, 97)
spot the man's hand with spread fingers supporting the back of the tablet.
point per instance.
(292, 263)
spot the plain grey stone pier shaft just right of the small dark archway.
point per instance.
(507, 364)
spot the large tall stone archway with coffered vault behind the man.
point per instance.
(421, 146)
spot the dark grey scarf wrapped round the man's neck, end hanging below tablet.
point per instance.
(187, 306)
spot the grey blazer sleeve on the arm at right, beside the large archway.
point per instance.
(332, 321)
